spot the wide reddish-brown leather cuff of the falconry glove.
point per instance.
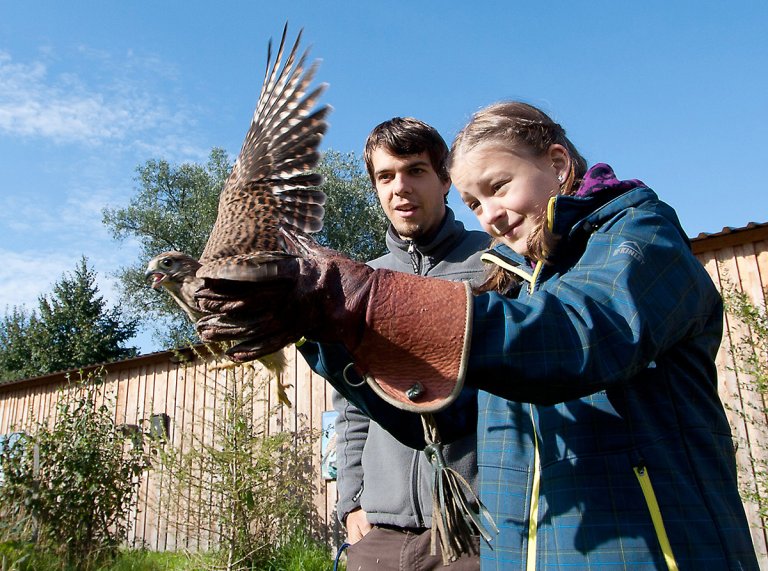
(415, 347)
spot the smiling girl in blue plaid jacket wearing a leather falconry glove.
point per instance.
(602, 441)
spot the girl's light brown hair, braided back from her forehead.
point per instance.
(517, 124)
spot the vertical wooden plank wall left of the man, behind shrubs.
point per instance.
(189, 392)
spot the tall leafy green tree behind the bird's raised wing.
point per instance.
(175, 208)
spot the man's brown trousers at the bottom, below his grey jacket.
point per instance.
(395, 549)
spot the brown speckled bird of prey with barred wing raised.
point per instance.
(270, 187)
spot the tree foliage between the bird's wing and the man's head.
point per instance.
(354, 221)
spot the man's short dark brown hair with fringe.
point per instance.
(405, 136)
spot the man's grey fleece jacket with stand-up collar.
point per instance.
(389, 480)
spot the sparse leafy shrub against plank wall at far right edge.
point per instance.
(750, 355)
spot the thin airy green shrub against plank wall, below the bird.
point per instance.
(256, 487)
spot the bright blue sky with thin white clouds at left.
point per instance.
(673, 93)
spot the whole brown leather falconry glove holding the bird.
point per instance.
(409, 335)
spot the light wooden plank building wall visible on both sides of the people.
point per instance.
(158, 383)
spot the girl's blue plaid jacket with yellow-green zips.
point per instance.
(602, 442)
